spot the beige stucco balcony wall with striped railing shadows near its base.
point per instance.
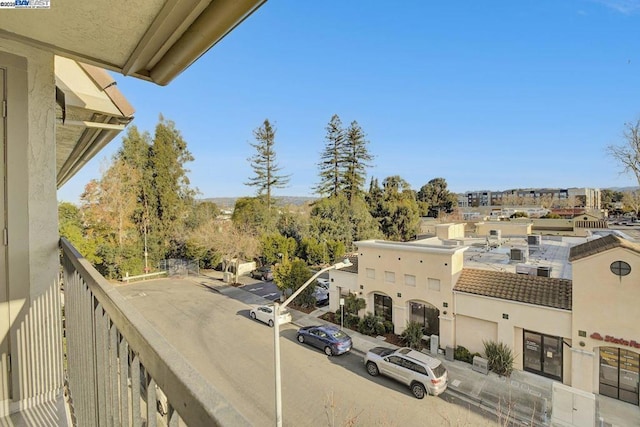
(35, 325)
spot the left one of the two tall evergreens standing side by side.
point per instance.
(332, 159)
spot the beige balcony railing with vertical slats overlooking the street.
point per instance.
(120, 370)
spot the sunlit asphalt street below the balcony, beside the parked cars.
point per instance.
(235, 353)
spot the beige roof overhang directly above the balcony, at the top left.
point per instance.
(153, 40)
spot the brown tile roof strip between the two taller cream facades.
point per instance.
(544, 291)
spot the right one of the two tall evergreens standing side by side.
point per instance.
(356, 160)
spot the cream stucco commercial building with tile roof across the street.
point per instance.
(566, 306)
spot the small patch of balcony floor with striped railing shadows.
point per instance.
(53, 413)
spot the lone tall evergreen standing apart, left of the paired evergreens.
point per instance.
(266, 171)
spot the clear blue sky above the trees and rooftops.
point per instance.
(486, 94)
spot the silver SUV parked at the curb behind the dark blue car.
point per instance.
(422, 373)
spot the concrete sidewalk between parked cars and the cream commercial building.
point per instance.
(522, 399)
